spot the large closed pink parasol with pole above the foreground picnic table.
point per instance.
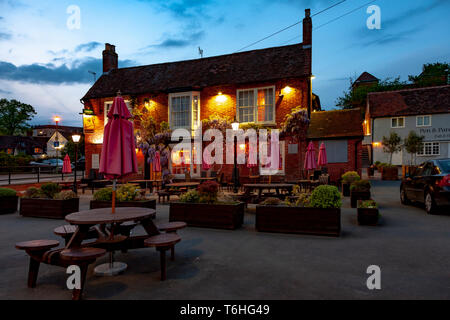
(118, 158)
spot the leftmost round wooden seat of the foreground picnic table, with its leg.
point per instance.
(34, 249)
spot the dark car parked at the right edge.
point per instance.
(428, 184)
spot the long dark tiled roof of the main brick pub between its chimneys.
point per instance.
(238, 68)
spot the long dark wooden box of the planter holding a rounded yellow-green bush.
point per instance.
(314, 221)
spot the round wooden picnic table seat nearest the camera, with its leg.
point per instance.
(81, 257)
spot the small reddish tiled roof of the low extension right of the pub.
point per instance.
(335, 124)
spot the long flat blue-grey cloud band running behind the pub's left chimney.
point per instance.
(77, 72)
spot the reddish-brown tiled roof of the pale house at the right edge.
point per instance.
(410, 102)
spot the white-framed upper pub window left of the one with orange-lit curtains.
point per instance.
(184, 110)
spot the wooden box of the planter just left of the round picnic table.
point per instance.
(47, 208)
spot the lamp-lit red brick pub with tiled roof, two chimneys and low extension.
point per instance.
(258, 86)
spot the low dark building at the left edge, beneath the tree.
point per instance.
(15, 145)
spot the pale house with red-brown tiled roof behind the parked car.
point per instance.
(423, 110)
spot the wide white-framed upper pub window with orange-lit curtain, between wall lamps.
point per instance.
(256, 105)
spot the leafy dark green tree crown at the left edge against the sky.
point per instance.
(14, 117)
